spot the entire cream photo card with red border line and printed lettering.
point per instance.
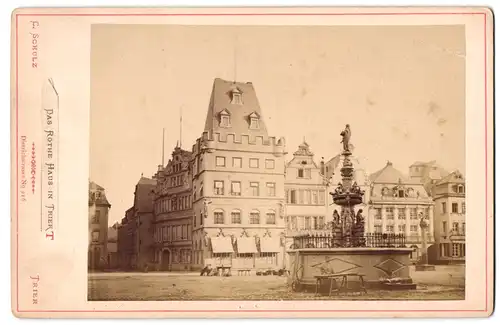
(277, 160)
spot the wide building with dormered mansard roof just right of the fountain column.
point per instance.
(396, 205)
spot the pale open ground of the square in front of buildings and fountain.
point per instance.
(446, 283)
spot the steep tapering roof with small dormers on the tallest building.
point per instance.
(221, 100)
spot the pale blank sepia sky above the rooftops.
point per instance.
(401, 88)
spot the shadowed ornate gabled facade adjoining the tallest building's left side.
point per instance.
(174, 213)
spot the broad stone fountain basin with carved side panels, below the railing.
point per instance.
(376, 264)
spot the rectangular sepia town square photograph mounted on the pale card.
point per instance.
(277, 162)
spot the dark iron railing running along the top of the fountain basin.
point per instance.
(327, 240)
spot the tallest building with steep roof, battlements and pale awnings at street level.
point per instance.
(238, 184)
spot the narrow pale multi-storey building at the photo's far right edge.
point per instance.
(449, 220)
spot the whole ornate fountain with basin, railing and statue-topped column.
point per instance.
(383, 259)
